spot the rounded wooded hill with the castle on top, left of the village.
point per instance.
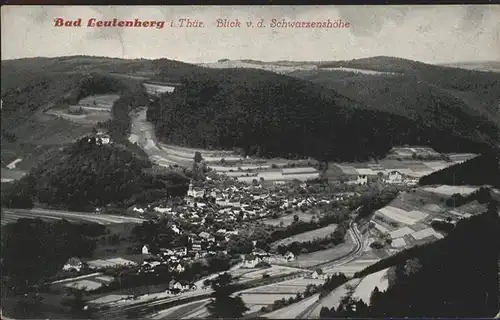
(88, 174)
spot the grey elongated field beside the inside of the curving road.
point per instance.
(318, 257)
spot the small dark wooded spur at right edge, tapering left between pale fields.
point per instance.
(482, 170)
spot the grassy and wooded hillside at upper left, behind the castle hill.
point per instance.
(31, 87)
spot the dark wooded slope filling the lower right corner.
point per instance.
(453, 277)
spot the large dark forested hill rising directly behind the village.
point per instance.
(277, 115)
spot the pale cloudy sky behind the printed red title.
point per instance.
(431, 34)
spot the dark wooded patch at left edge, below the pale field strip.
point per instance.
(33, 250)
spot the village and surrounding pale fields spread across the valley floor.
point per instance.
(266, 233)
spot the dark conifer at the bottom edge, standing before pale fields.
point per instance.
(223, 305)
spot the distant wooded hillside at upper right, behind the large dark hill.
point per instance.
(414, 86)
